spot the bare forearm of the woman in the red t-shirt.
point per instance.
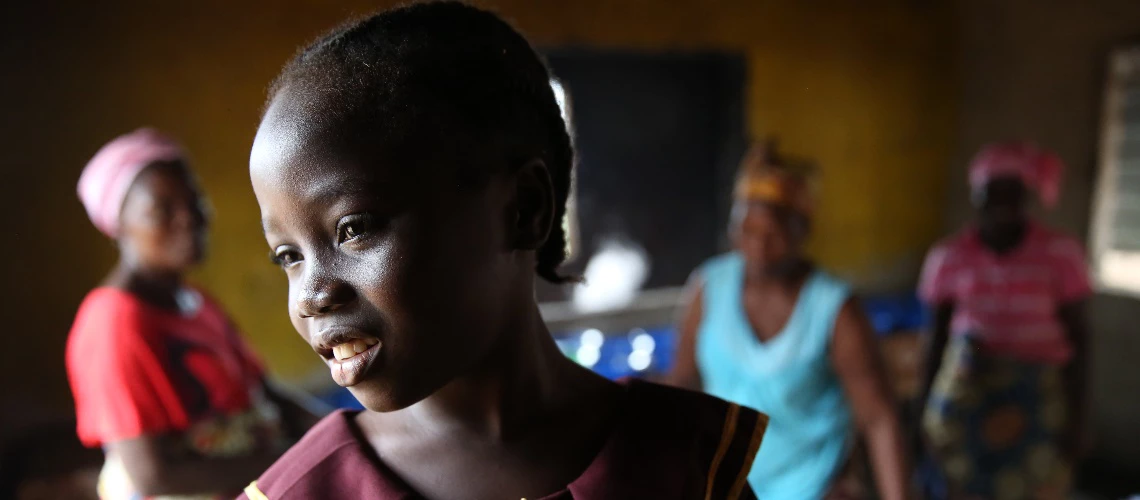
(161, 466)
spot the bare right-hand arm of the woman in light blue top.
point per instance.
(856, 358)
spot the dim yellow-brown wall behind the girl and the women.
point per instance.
(862, 91)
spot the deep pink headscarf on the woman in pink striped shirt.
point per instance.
(1039, 169)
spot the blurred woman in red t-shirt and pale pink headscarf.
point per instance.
(162, 380)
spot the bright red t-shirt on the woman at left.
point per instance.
(137, 370)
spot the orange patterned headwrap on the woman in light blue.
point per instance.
(767, 178)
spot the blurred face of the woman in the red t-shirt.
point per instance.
(164, 223)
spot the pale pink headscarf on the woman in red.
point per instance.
(111, 173)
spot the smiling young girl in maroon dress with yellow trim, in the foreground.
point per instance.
(413, 170)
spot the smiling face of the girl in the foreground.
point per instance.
(398, 278)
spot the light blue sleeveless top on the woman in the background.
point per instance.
(789, 378)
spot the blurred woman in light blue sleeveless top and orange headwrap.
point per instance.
(767, 330)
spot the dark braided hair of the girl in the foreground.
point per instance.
(445, 80)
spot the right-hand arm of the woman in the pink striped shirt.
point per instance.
(1077, 374)
